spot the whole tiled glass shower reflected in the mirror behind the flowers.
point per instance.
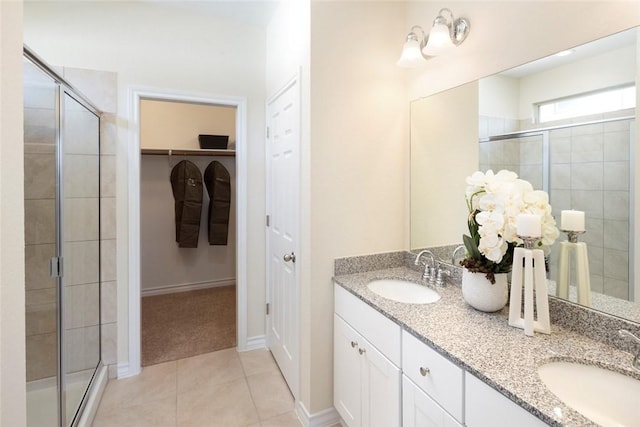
(584, 165)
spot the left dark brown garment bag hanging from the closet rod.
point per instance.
(186, 183)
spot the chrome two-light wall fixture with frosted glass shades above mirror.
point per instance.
(446, 33)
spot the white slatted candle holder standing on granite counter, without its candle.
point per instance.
(529, 268)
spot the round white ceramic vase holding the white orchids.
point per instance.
(481, 294)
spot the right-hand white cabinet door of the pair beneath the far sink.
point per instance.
(380, 389)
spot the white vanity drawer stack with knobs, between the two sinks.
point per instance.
(437, 396)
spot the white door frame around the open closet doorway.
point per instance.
(136, 95)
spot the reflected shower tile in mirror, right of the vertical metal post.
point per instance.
(590, 171)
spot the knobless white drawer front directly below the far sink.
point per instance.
(380, 331)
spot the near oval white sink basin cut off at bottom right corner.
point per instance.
(605, 397)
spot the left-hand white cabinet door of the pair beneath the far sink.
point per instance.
(347, 391)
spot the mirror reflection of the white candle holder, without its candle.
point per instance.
(572, 250)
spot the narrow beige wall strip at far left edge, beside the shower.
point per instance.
(12, 301)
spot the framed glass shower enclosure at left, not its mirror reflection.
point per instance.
(62, 238)
